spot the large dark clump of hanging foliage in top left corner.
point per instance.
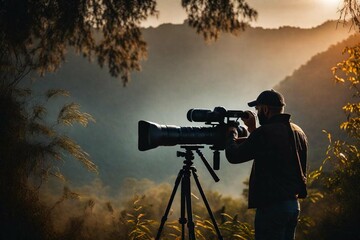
(44, 30)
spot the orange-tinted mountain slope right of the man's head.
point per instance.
(315, 100)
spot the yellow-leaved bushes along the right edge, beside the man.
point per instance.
(339, 183)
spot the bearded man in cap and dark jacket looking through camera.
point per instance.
(277, 180)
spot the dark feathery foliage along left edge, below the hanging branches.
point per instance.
(30, 151)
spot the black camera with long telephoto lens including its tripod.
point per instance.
(152, 135)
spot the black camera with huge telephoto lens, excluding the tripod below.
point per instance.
(152, 135)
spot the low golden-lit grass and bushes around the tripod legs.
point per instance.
(138, 220)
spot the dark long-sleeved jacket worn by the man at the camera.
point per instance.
(275, 174)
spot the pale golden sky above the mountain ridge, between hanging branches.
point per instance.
(271, 13)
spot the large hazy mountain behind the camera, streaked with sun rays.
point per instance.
(182, 72)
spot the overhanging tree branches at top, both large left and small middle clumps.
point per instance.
(37, 33)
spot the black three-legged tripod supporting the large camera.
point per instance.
(184, 176)
